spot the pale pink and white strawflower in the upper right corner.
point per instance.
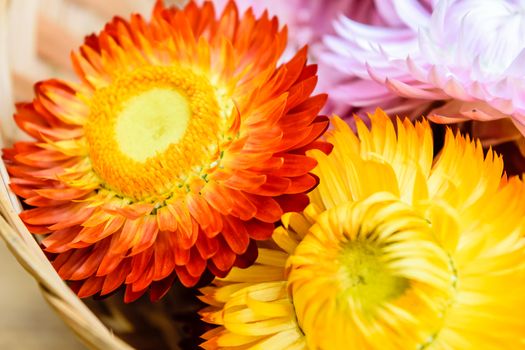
(470, 54)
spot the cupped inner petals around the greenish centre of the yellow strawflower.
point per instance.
(370, 267)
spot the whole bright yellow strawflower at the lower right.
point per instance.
(397, 250)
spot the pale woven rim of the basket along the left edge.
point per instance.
(22, 244)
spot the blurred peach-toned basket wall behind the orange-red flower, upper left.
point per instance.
(37, 36)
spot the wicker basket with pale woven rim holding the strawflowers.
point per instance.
(31, 50)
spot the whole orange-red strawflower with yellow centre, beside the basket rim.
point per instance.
(182, 145)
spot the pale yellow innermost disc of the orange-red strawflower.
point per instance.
(150, 122)
